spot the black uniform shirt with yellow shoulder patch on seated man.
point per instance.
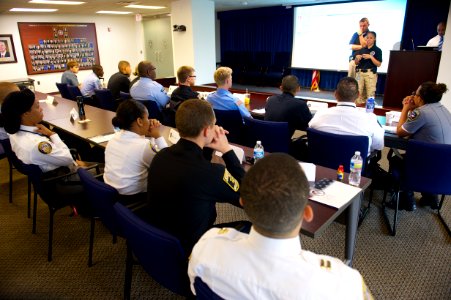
(184, 187)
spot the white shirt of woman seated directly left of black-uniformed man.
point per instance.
(127, 160)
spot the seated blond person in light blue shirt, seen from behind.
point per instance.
(222, 99)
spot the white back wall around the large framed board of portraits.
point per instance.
(123, 42)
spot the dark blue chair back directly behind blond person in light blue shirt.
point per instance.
(232, 121)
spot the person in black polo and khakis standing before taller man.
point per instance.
(367, 60)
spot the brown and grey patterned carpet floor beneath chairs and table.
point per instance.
(416, 264)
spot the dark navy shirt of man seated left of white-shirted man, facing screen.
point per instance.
(287, 108)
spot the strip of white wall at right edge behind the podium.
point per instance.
(444, 71)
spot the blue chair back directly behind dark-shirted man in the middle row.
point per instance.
(275, 136)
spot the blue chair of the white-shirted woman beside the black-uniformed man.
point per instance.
(102, 197)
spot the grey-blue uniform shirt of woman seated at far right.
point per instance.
(429, 123)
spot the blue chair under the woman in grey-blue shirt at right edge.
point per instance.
(427, 168)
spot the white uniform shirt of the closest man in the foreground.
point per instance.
(236, 265)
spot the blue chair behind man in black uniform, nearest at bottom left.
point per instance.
(160, 254)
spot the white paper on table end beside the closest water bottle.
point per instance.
(337, 194)
